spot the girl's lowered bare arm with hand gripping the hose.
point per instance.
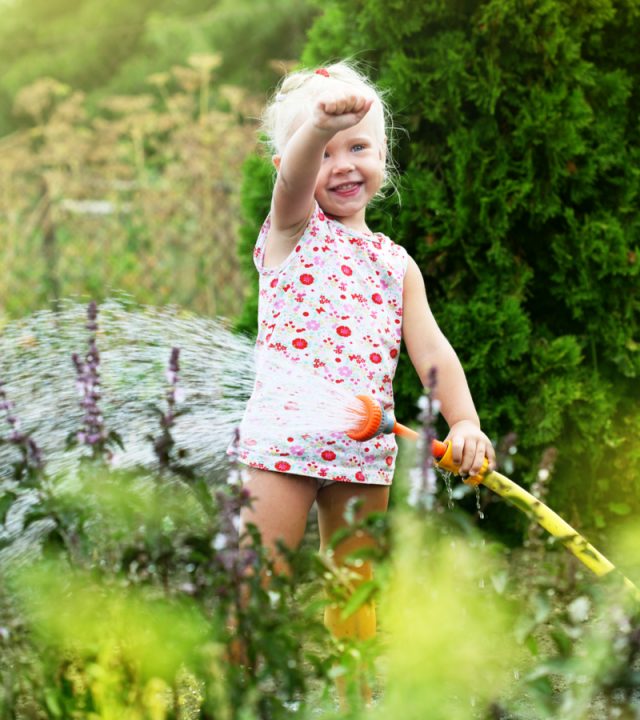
(428, 347)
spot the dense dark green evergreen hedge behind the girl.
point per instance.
(520, 168)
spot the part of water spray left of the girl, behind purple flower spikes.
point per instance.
(216, 379)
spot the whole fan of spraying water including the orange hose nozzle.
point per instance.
(217, 378)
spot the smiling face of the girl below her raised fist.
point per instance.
(351, 172)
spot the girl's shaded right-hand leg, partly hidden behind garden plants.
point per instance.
(331, 506)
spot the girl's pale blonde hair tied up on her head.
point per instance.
(297, 92)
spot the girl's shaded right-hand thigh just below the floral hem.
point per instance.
(332, 501)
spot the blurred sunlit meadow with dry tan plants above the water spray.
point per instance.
(123, 127)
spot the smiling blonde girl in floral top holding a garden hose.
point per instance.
(337, 299)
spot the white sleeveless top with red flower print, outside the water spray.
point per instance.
(334, 307)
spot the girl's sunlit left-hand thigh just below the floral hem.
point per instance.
(280, 507)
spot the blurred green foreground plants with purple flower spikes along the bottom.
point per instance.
(143, 598)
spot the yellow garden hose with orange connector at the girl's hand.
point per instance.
(531, 506)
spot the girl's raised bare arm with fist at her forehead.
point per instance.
(300, 163)
